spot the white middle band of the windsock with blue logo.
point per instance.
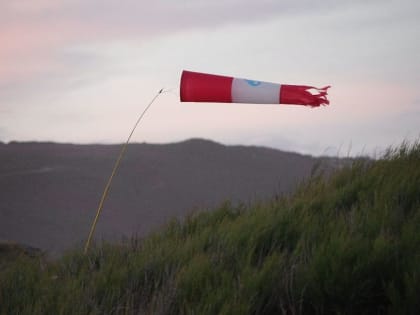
(249, 91)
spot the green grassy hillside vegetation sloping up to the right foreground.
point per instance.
(346, 243)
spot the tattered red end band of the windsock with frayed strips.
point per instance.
(303, 95)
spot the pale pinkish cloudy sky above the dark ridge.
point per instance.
(82, 71)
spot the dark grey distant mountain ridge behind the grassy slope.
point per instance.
(49, 191)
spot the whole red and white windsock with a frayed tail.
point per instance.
(203, 87)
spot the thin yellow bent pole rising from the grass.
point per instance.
(114, 170)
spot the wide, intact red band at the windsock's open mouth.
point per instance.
(202, 87)
